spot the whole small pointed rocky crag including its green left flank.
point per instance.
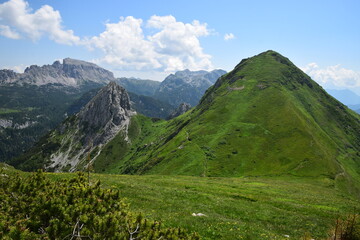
(82, 135)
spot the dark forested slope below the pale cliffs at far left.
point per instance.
(28, 112)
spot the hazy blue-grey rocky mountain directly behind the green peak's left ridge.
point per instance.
(186, 86)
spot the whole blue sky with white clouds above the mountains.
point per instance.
(151, 39)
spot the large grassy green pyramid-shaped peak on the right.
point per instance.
(266, 117)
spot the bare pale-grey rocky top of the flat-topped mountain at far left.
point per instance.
(69, 73)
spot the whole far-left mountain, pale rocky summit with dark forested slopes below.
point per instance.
(33, 102)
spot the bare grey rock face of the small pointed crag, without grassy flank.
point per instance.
(105, 116)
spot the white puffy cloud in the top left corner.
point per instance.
(18, 20)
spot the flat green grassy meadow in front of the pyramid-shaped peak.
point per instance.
(236, 208)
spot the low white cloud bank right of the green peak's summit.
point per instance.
(333, 76)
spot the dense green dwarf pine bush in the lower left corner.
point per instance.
(37, 208)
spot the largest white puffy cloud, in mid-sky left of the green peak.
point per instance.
(173, 45)
